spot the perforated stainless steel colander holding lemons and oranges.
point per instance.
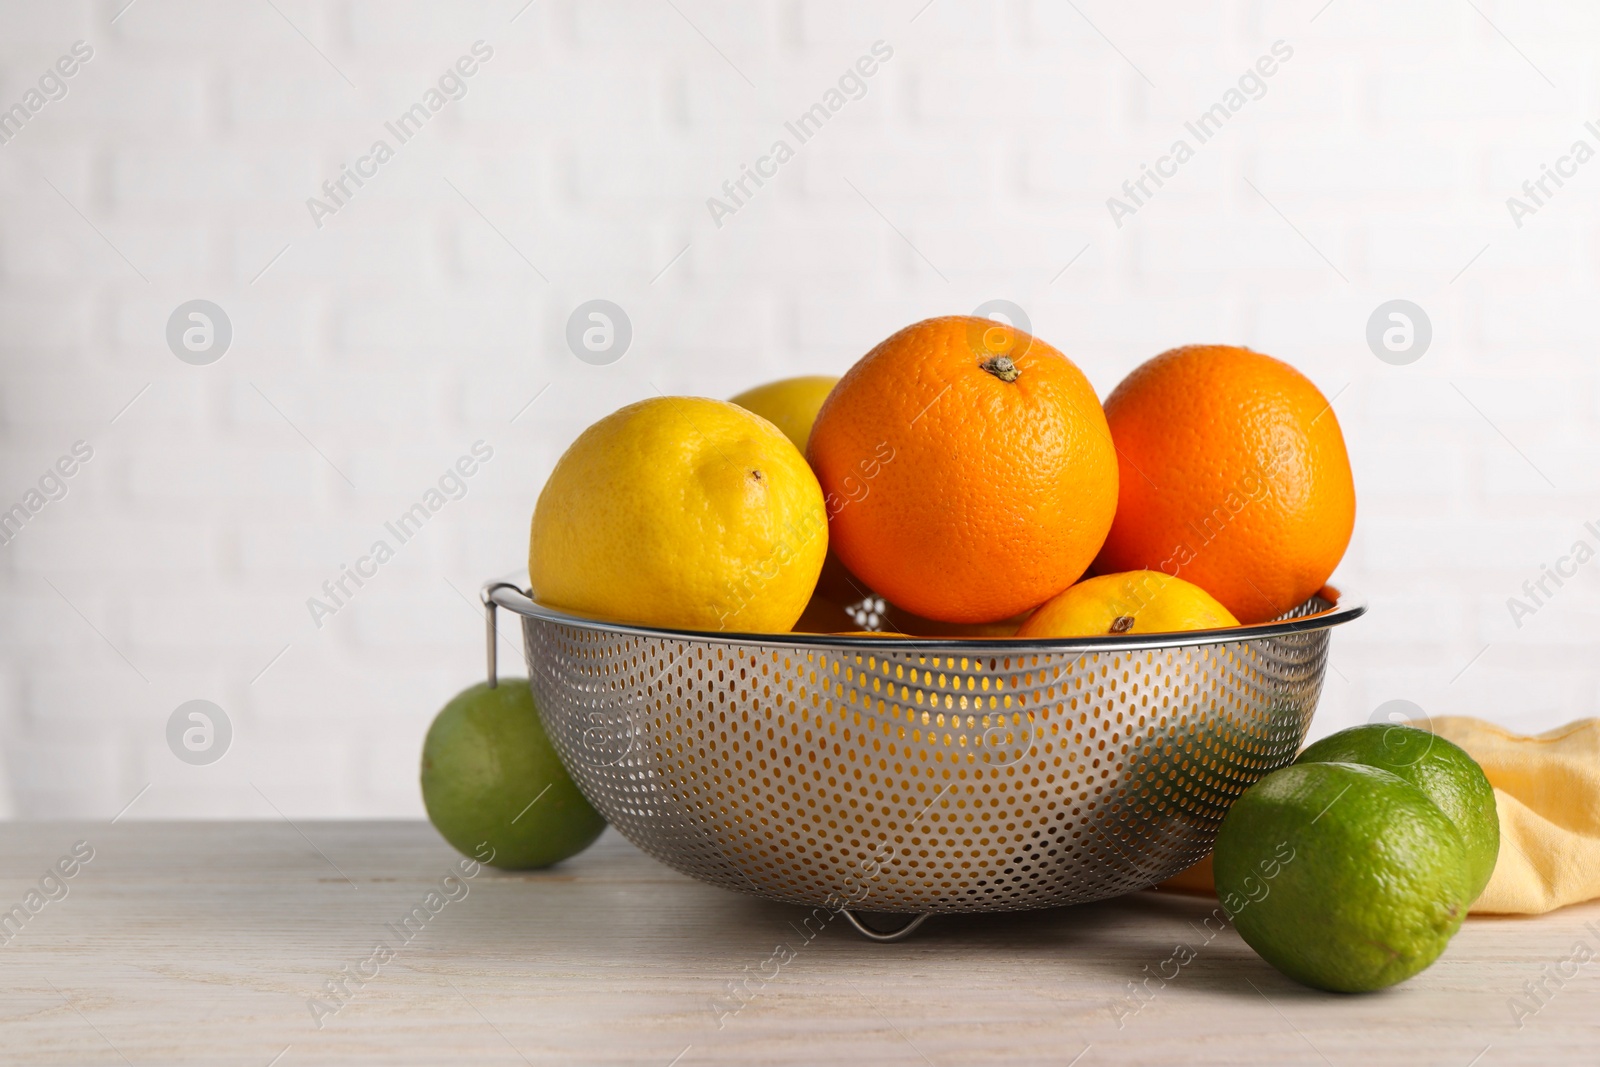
(922, 775)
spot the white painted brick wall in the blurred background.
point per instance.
(409, 327)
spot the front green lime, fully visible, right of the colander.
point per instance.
(1342, 876)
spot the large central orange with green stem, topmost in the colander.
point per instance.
(967, 470)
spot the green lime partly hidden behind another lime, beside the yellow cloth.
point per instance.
(1442, 770)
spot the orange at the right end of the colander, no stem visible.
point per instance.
(1234, 478)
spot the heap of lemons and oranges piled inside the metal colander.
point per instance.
(967, 478)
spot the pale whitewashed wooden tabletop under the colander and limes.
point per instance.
(207, 943)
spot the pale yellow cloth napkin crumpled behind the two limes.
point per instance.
(1548, 796)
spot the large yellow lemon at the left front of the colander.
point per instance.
(681, 513)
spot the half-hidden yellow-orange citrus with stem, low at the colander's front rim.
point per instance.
(1134, 602)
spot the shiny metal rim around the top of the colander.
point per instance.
(1345, 605)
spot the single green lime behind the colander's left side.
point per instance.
(492, 781)
